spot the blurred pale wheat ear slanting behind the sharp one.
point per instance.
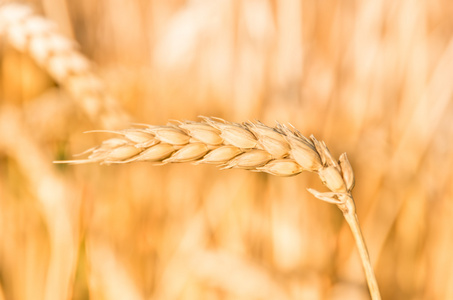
(60, 57)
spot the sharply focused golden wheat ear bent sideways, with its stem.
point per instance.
(279, 150)
